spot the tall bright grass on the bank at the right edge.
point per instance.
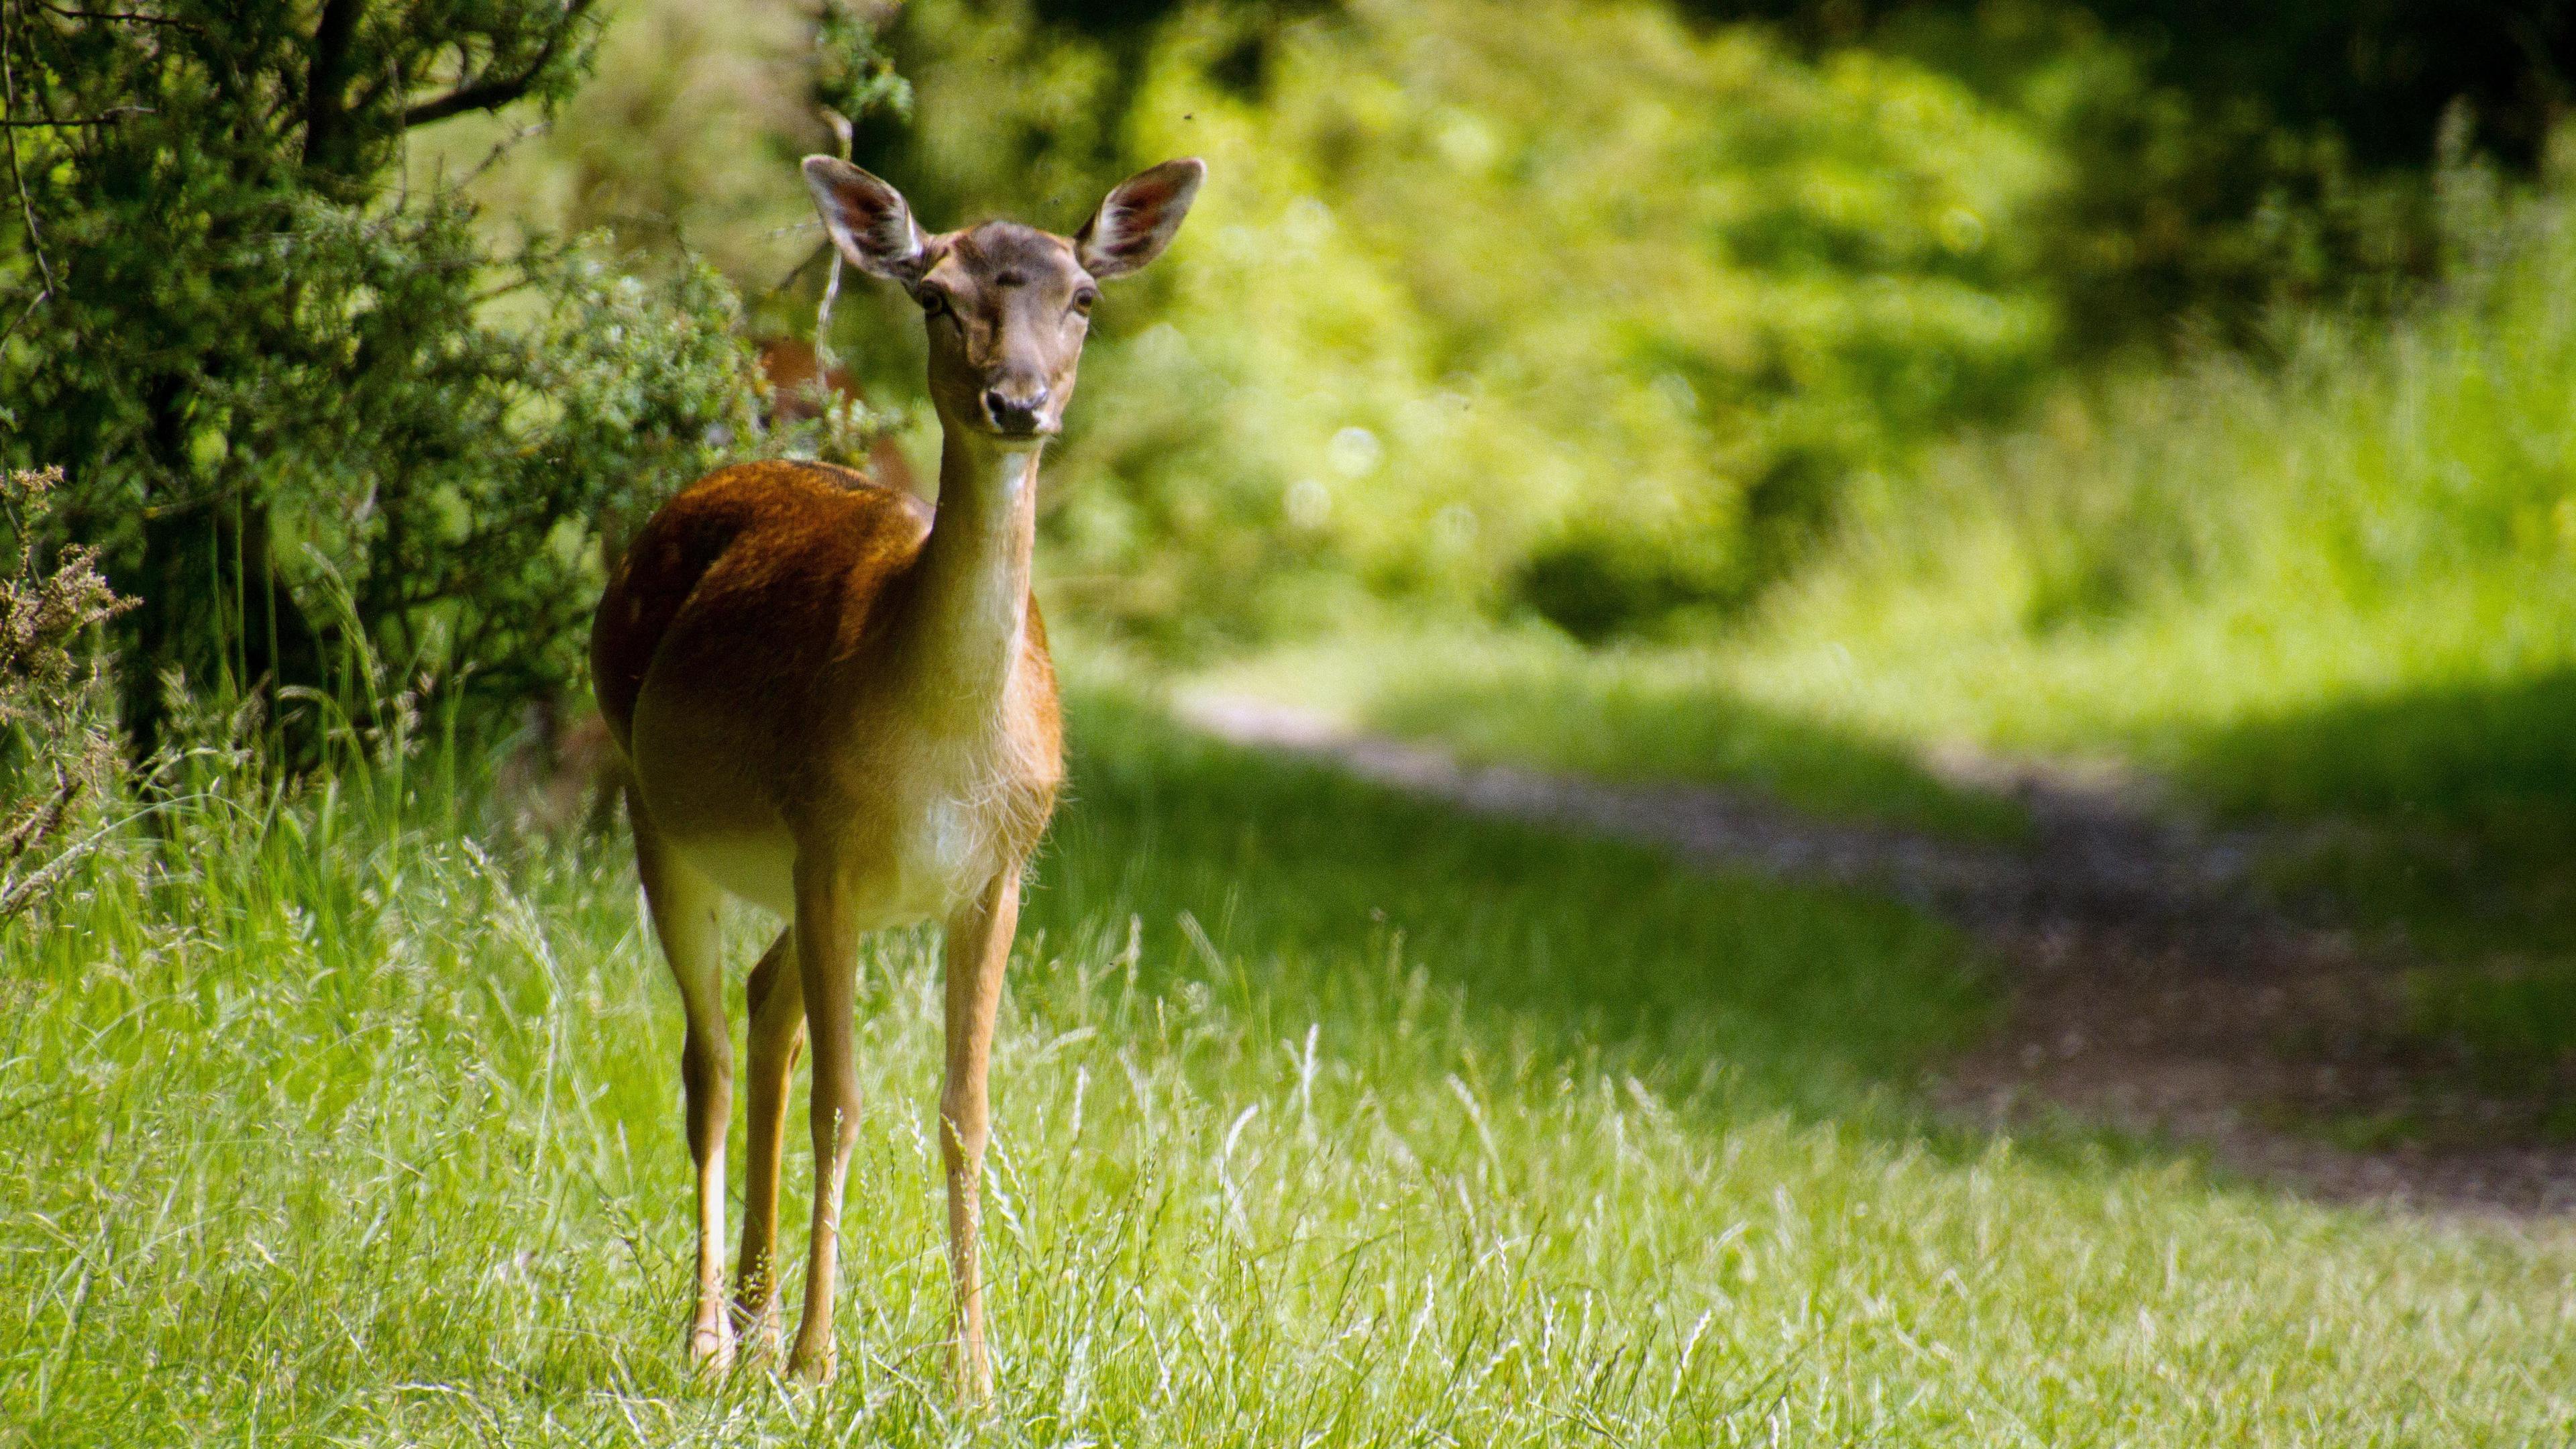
(2369, 468)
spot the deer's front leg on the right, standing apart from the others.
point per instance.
(978, 953)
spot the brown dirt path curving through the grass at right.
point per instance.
(2152, 986)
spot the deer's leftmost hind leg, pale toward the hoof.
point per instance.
(687, 919)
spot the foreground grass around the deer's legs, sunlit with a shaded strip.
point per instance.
(1323, 1118)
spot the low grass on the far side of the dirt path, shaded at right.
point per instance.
(2438, 811)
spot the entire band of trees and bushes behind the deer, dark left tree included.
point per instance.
(1598, 313)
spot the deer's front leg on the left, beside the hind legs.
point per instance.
(828, 968)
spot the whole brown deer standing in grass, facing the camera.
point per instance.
(836, 703)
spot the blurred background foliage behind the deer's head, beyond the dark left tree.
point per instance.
(1593, 316)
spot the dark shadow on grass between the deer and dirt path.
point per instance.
(1552, 950)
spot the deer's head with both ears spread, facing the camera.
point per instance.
(1006, 306)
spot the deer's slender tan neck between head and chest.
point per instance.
(970, 618)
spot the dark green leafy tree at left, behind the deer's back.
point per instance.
(305, 414)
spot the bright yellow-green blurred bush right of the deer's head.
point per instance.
(1580, 313)
